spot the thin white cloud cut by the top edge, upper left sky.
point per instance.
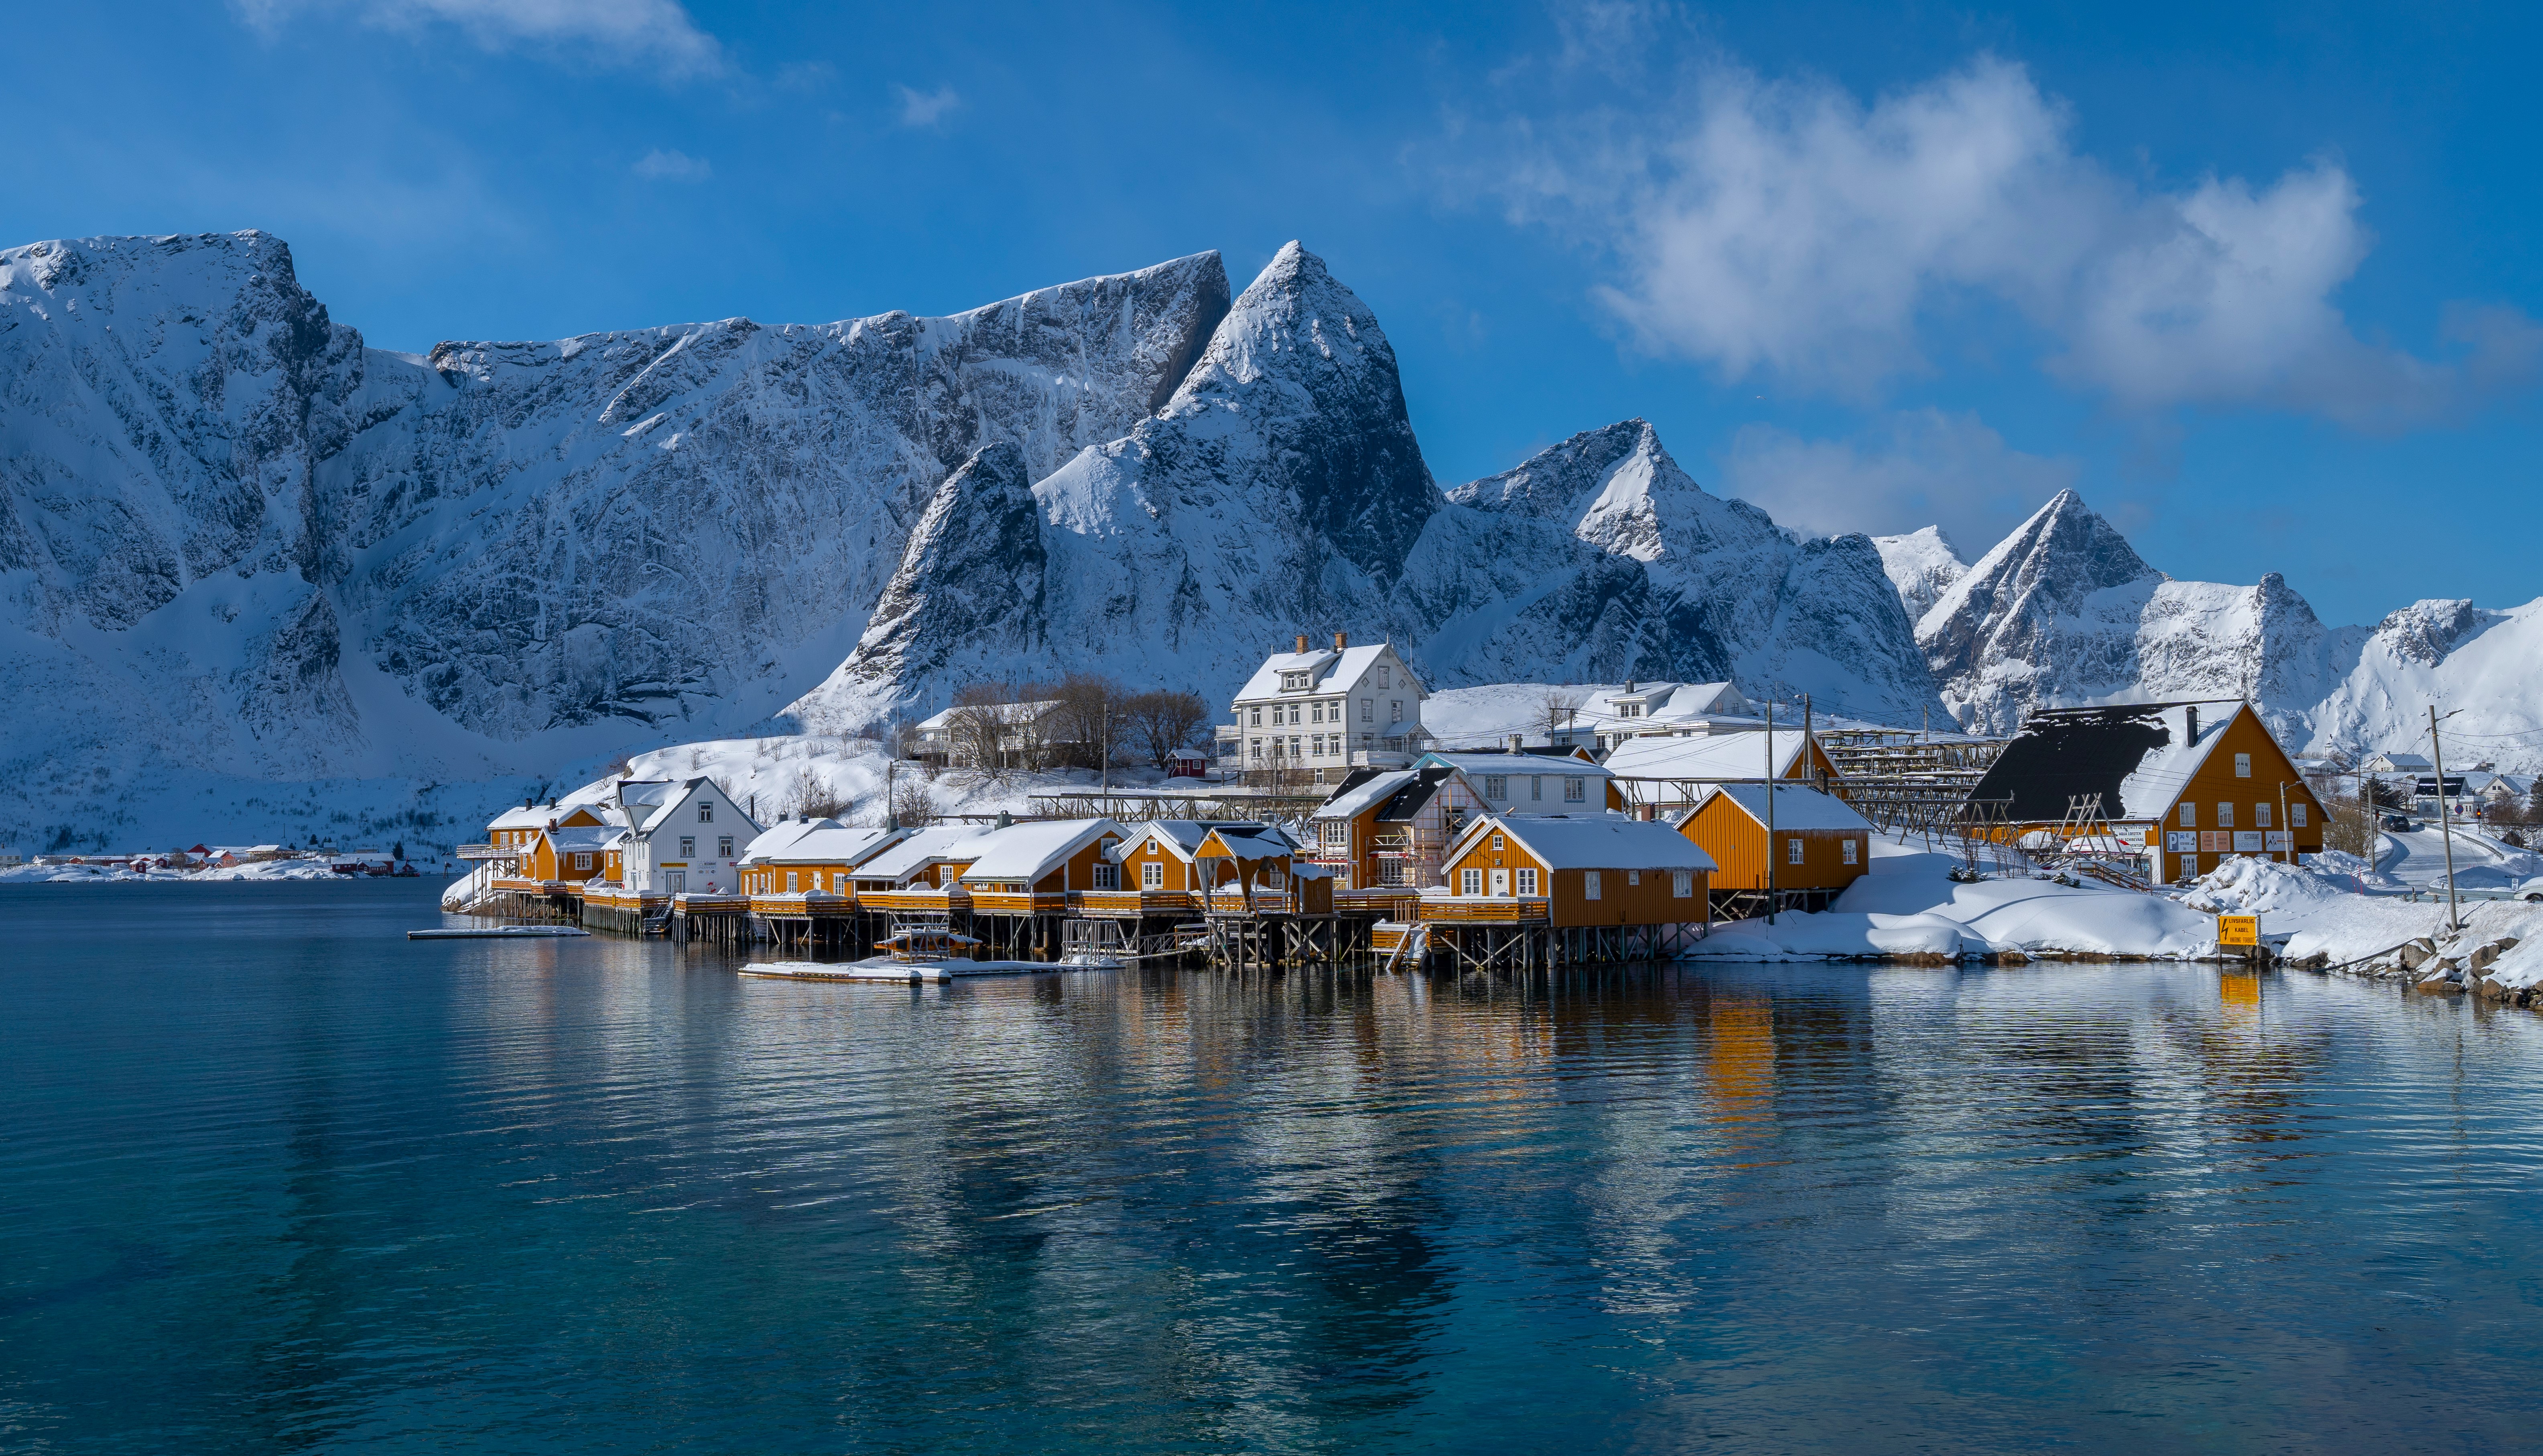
(655, 34)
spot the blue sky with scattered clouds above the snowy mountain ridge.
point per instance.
(2257, 281)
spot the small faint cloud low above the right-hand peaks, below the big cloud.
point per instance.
(1911, 469)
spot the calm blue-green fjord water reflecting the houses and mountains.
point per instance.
(281, 1180)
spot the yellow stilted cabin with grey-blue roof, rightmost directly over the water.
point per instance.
(1570, 873)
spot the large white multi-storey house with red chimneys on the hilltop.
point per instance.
(1326, 710)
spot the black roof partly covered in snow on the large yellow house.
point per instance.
(2135, 756)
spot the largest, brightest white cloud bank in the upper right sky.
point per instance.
(1784, 227)
